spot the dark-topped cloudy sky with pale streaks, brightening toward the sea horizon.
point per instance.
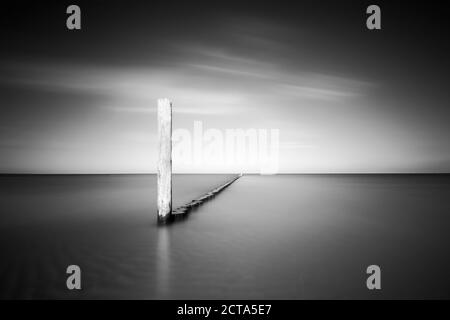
(344, 98)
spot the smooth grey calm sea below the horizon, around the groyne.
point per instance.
(274, 237)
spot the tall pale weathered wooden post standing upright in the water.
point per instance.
(164, 159)
